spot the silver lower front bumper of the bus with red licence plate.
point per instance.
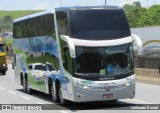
(112, 94)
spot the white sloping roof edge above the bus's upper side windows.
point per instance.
(51, 11)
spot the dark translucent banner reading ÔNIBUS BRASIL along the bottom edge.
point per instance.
(39, 107)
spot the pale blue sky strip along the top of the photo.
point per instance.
(50, 4)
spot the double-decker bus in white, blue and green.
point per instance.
(78, 54)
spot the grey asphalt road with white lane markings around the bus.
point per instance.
(12, 93)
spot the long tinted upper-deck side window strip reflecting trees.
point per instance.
(37, 26)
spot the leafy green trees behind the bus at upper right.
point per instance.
(139, 16)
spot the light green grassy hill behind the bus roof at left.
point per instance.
(18, 13)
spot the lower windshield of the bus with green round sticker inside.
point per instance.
(104, 61)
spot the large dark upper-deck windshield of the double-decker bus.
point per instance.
(99, 24)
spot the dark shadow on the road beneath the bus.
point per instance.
(73, 106)
